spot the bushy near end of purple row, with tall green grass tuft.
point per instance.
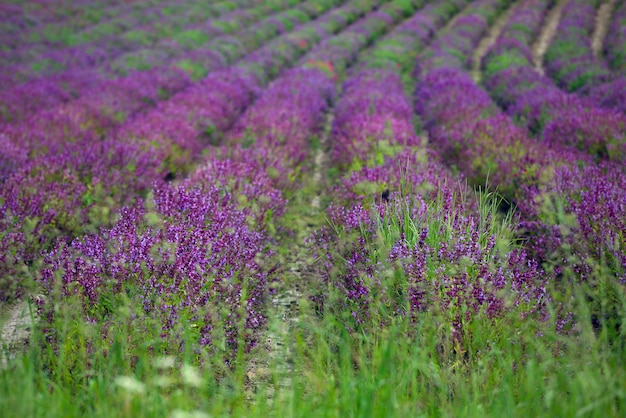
(421, 248)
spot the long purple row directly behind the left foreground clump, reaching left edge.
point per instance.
(109, 173)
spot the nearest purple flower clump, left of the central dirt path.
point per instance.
(189, 263)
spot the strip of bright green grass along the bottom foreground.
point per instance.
(391, 372)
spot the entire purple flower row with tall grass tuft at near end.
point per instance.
(399, 229)
